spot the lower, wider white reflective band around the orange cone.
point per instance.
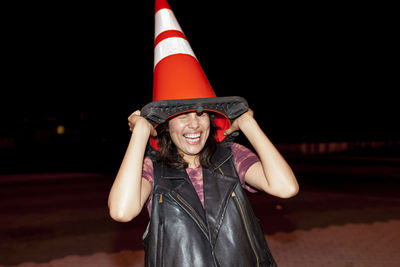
(171, 46)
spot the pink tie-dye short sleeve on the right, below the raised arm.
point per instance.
(244, 159)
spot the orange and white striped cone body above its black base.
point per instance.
(177, 72)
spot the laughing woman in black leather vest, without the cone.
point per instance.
(214, 226)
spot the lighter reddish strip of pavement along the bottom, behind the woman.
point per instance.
(351, 245)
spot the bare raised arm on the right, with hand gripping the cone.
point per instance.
(273, 174)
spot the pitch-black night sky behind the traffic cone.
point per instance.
(309, 72)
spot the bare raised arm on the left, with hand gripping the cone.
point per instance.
(130, 191)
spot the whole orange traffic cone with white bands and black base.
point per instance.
(180, 84)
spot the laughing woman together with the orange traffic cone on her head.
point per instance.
(191, 177)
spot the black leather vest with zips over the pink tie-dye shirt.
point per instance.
(225, 233)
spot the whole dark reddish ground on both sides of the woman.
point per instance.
(346, 214)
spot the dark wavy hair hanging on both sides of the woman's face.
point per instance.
(168, 152)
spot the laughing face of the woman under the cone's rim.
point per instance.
(189, 132)
